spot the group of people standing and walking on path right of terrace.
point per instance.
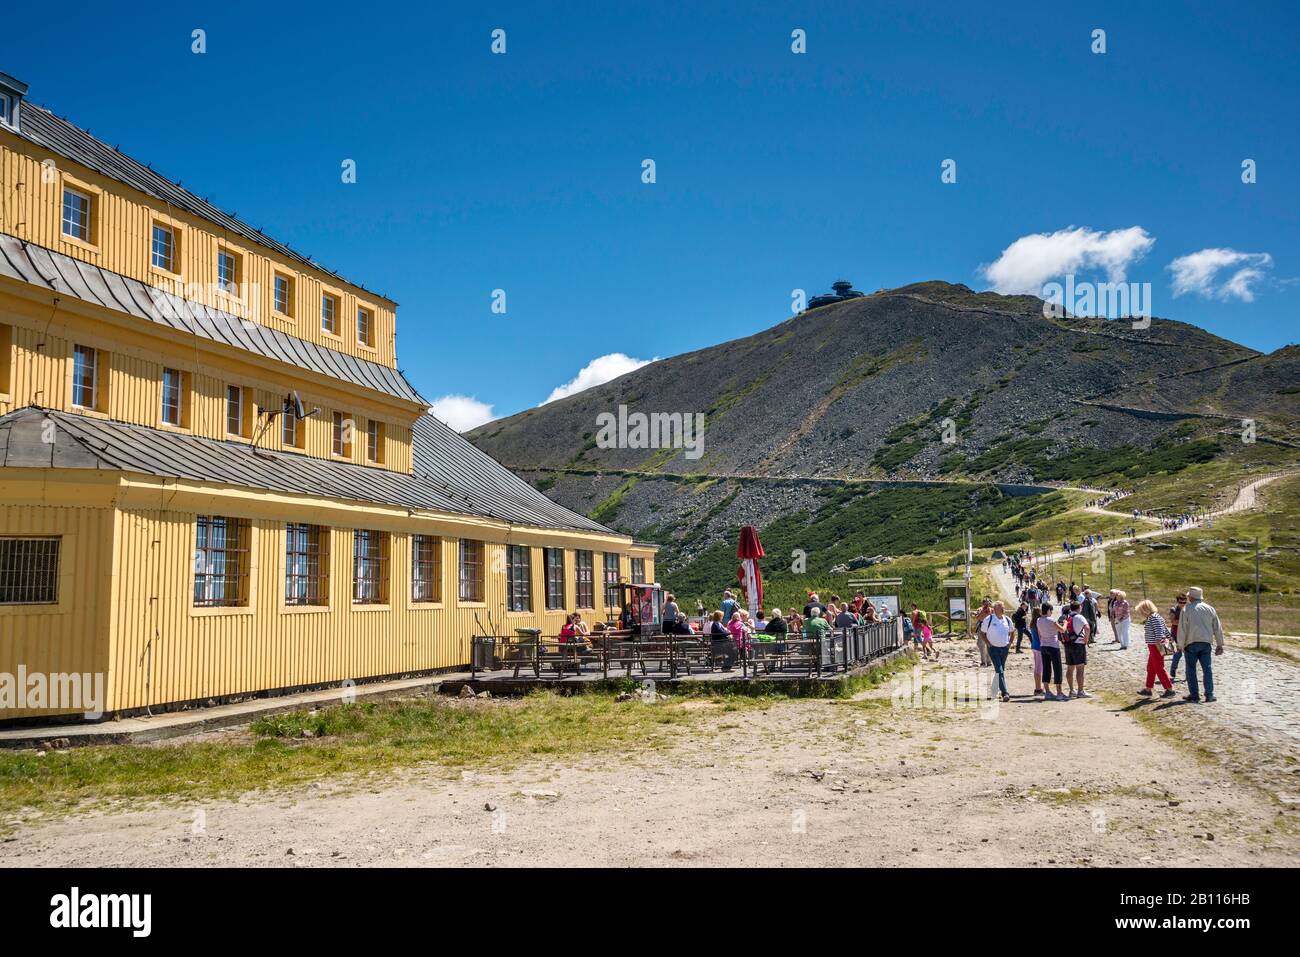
(1191, 633)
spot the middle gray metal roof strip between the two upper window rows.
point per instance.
(49, 270)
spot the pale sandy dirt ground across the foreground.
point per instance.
(800, 783)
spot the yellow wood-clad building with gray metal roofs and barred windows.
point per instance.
(215, 480)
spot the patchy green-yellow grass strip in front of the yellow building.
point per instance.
(362, 739)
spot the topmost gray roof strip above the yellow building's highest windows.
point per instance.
(58, 136)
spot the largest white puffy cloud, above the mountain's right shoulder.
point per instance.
(1033, 261)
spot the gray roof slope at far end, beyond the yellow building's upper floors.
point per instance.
(447, 458)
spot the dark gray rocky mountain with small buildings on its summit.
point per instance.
(870, 387)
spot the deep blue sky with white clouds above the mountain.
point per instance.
(502, 198)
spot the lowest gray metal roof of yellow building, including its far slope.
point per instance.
(456, 477)
